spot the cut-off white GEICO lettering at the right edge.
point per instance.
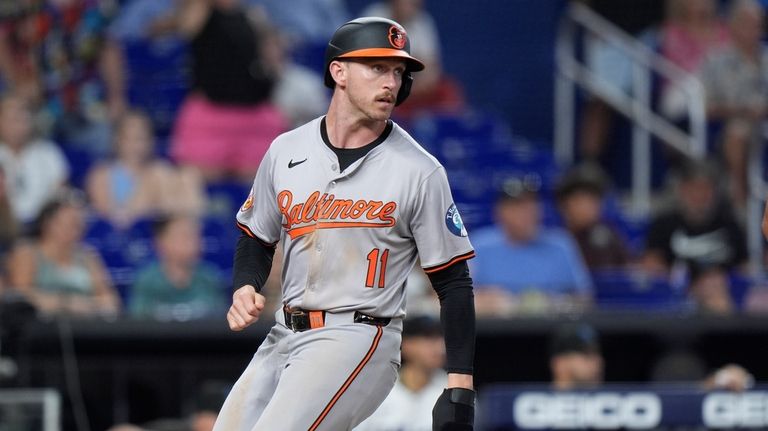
(727, 410)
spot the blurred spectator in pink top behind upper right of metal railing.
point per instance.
(691, 31)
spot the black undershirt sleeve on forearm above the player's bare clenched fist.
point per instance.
(253, 262)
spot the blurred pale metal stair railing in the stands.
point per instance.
(579, 23)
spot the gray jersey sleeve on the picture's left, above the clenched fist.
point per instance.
(259, 216)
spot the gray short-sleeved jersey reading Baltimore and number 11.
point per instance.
(351, 238)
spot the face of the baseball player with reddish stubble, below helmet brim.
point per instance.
(373, 84)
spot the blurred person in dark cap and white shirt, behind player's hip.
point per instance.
(421, 380)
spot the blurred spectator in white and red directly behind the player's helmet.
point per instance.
(433, 90)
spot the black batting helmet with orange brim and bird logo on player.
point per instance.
(373, 37)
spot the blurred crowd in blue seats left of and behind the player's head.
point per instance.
(131, 131)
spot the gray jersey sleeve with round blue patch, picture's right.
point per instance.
(437, 228)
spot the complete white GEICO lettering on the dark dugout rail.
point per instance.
(605, 410)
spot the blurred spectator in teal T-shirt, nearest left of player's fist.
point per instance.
(179, 285)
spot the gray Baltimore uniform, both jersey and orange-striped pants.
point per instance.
(350, 239)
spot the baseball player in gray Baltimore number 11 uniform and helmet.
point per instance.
(355, 201)
